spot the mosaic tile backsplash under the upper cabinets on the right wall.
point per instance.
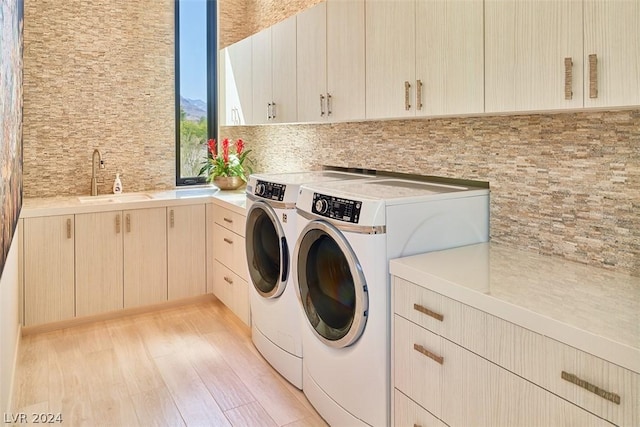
(566, 184)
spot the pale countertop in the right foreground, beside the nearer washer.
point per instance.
(590, 308)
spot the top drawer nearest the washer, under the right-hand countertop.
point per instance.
(443, 316)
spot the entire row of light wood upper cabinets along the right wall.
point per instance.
(377, 59)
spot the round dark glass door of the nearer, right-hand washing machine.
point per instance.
(331, 286)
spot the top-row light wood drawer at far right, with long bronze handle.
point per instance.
(588, 381)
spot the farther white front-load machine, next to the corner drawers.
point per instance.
(270, 237)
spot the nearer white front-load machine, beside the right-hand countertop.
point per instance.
(348, 232)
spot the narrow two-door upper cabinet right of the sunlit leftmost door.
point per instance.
(274, 73)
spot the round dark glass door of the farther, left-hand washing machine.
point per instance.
(267, 252)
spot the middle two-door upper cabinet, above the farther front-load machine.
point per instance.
(331, 61)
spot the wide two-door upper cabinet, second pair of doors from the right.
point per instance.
(424, 58)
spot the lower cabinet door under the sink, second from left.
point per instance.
(98, 262)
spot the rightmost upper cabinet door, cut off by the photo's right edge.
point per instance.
(612, 32)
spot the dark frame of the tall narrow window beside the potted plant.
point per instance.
(212, 84)
